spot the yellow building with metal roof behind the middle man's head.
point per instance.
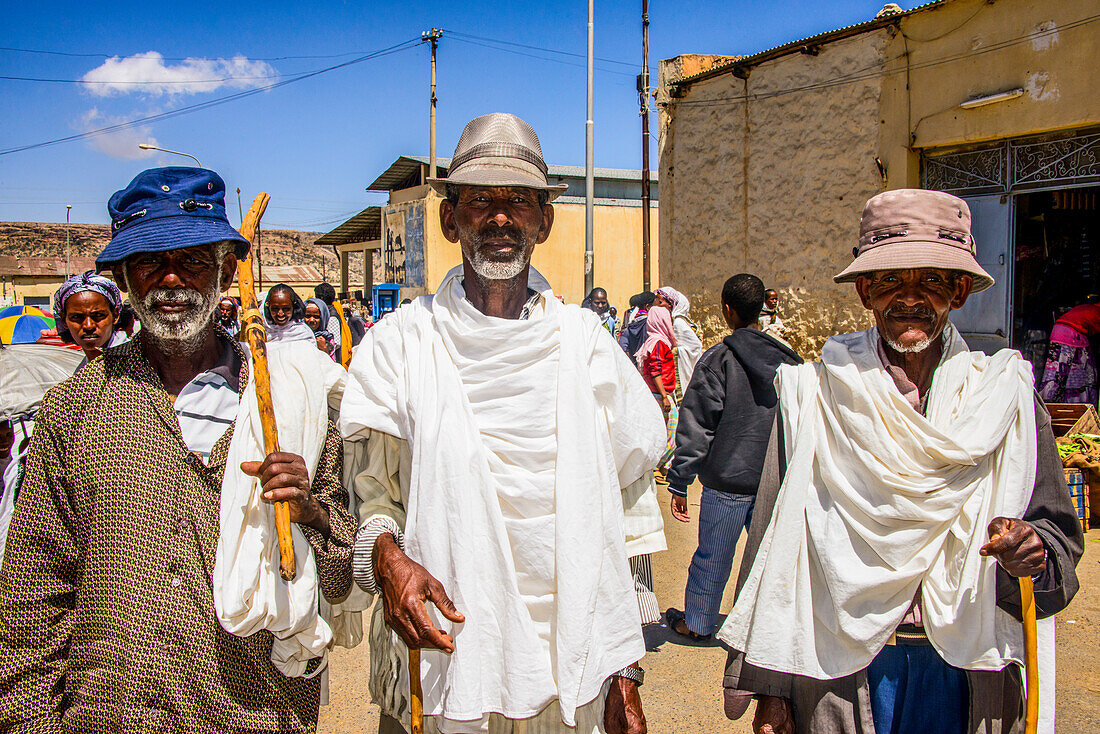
(404, 243)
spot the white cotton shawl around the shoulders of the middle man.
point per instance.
(405, 381)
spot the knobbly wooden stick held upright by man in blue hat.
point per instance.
(254, 333)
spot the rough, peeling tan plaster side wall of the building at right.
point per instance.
(808, 154)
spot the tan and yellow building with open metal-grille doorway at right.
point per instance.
(767, 160)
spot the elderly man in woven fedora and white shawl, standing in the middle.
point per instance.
(508, 476)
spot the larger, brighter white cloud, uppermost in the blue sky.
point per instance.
(148, 74)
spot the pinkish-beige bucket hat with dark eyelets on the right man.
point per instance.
(912, 228)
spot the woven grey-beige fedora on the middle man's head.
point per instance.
(499, 150)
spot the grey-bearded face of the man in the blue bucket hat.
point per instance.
(175, 293)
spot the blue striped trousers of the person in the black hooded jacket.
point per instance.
(722, 518)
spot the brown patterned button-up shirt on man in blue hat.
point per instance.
(107, 618)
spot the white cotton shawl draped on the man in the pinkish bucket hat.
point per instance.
(879, 501)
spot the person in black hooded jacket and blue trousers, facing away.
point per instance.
(722, 437)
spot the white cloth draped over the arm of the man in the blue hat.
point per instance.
(249, 594)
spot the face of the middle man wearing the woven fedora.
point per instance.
(498, 228)
